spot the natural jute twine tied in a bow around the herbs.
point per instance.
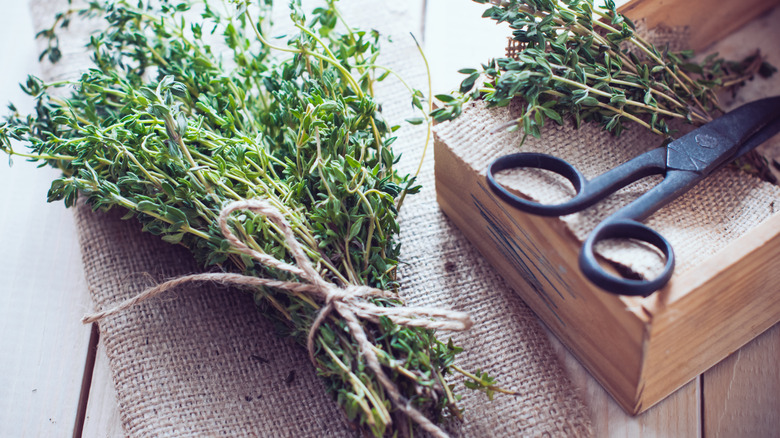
(351, 301)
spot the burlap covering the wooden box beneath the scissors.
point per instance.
(702, 222)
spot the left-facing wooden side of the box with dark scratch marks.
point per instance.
(537, 257)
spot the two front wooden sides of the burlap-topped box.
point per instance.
(639, 349)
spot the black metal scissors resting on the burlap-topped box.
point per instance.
(683, 163)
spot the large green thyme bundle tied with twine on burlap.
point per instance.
(189, 108)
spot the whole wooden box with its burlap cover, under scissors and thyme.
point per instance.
(724, 291)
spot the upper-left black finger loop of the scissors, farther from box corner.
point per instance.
(532, 160)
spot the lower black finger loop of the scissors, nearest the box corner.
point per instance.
(625, 229)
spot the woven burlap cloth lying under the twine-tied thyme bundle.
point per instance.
(206, 363)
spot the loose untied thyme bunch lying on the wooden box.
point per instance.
(587, 62)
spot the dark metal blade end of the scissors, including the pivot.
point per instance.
(726, 137)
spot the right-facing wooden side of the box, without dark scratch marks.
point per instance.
(734, 296)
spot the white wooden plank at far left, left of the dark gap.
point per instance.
(42, 293)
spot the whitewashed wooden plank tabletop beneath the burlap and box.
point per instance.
(54, 377)
